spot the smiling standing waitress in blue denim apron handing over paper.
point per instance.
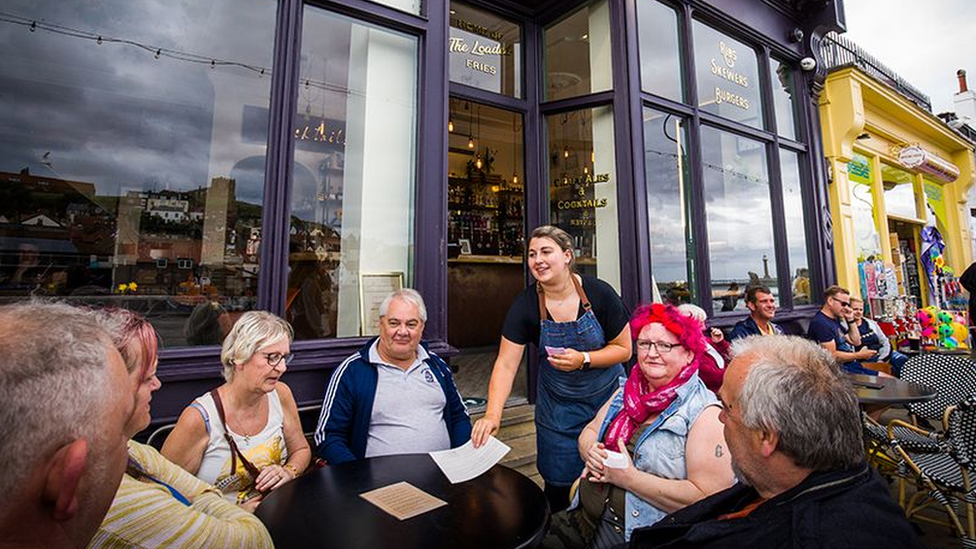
(579, 365)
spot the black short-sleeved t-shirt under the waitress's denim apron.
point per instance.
(522, 321)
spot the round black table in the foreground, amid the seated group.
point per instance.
(498, 510)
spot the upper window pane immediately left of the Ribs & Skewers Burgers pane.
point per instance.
(660, 53)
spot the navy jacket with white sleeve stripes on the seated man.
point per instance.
(343, 427)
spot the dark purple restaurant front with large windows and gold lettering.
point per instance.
(193, 162)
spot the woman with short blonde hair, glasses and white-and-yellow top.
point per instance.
(245, 436)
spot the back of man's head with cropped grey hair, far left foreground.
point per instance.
(65, 398)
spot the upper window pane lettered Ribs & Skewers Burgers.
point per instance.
(728, 76)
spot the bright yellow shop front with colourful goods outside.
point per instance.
(898, 197)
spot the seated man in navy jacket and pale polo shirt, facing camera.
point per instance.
(393, 396)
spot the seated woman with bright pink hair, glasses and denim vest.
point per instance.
(656, 446)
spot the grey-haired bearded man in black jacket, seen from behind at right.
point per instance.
(793, 428)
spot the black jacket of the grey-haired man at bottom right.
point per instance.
(833, 509)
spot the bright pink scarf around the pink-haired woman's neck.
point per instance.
(640, 402)
